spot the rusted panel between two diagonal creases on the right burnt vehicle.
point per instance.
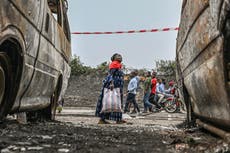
(201, 34)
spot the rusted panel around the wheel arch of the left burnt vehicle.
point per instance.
(20, 19)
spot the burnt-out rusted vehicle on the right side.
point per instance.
(203, 60)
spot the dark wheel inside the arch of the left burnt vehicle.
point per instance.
(5, 85)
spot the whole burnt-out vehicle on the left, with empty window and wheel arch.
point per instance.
(34, 55)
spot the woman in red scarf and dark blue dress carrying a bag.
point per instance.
(113, 81)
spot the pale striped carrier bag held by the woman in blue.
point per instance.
(111, 101)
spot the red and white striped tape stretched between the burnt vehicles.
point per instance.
(131, 31)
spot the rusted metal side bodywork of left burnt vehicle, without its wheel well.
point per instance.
(46, 50)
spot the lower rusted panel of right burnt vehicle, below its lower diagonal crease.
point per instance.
(207, 85)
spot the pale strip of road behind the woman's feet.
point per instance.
(85, 115)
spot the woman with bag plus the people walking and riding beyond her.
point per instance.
(110, 102)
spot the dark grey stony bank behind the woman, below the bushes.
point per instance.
(84, 90)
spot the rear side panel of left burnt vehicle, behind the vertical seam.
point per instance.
(51, 60)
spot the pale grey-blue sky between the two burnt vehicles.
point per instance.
(139, 50)
